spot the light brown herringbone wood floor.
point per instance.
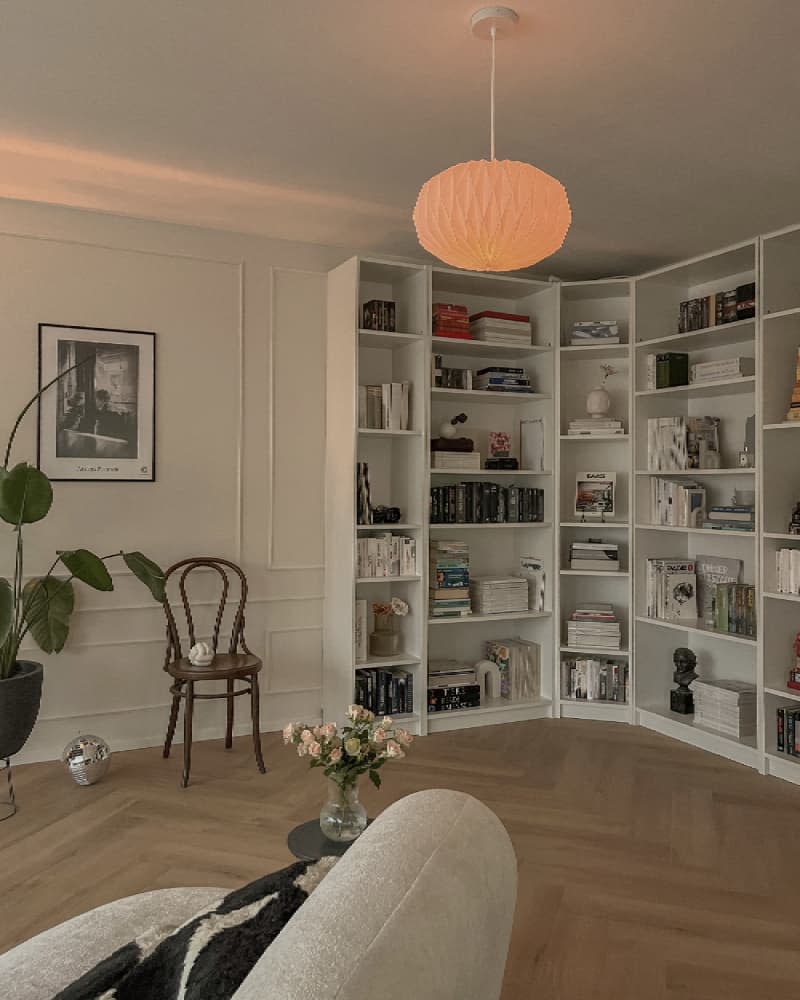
(648, 870)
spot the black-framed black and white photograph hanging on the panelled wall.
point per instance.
(98, 421)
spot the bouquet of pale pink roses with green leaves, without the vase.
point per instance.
(363, 746)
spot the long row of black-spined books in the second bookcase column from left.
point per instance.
(486, 503)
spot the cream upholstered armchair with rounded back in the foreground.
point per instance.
(422, 905)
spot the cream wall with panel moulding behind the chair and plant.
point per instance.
(240, 326)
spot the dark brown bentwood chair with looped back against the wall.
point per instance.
(237, 666)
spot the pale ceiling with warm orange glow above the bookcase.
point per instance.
(674, 124)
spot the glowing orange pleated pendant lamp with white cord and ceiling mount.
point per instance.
(492, 215)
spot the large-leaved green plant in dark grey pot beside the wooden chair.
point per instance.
(41, 607)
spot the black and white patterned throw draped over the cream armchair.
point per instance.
(209, 956)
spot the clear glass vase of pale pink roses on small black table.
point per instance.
(363, 747)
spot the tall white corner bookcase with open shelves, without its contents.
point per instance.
(646, 309)
